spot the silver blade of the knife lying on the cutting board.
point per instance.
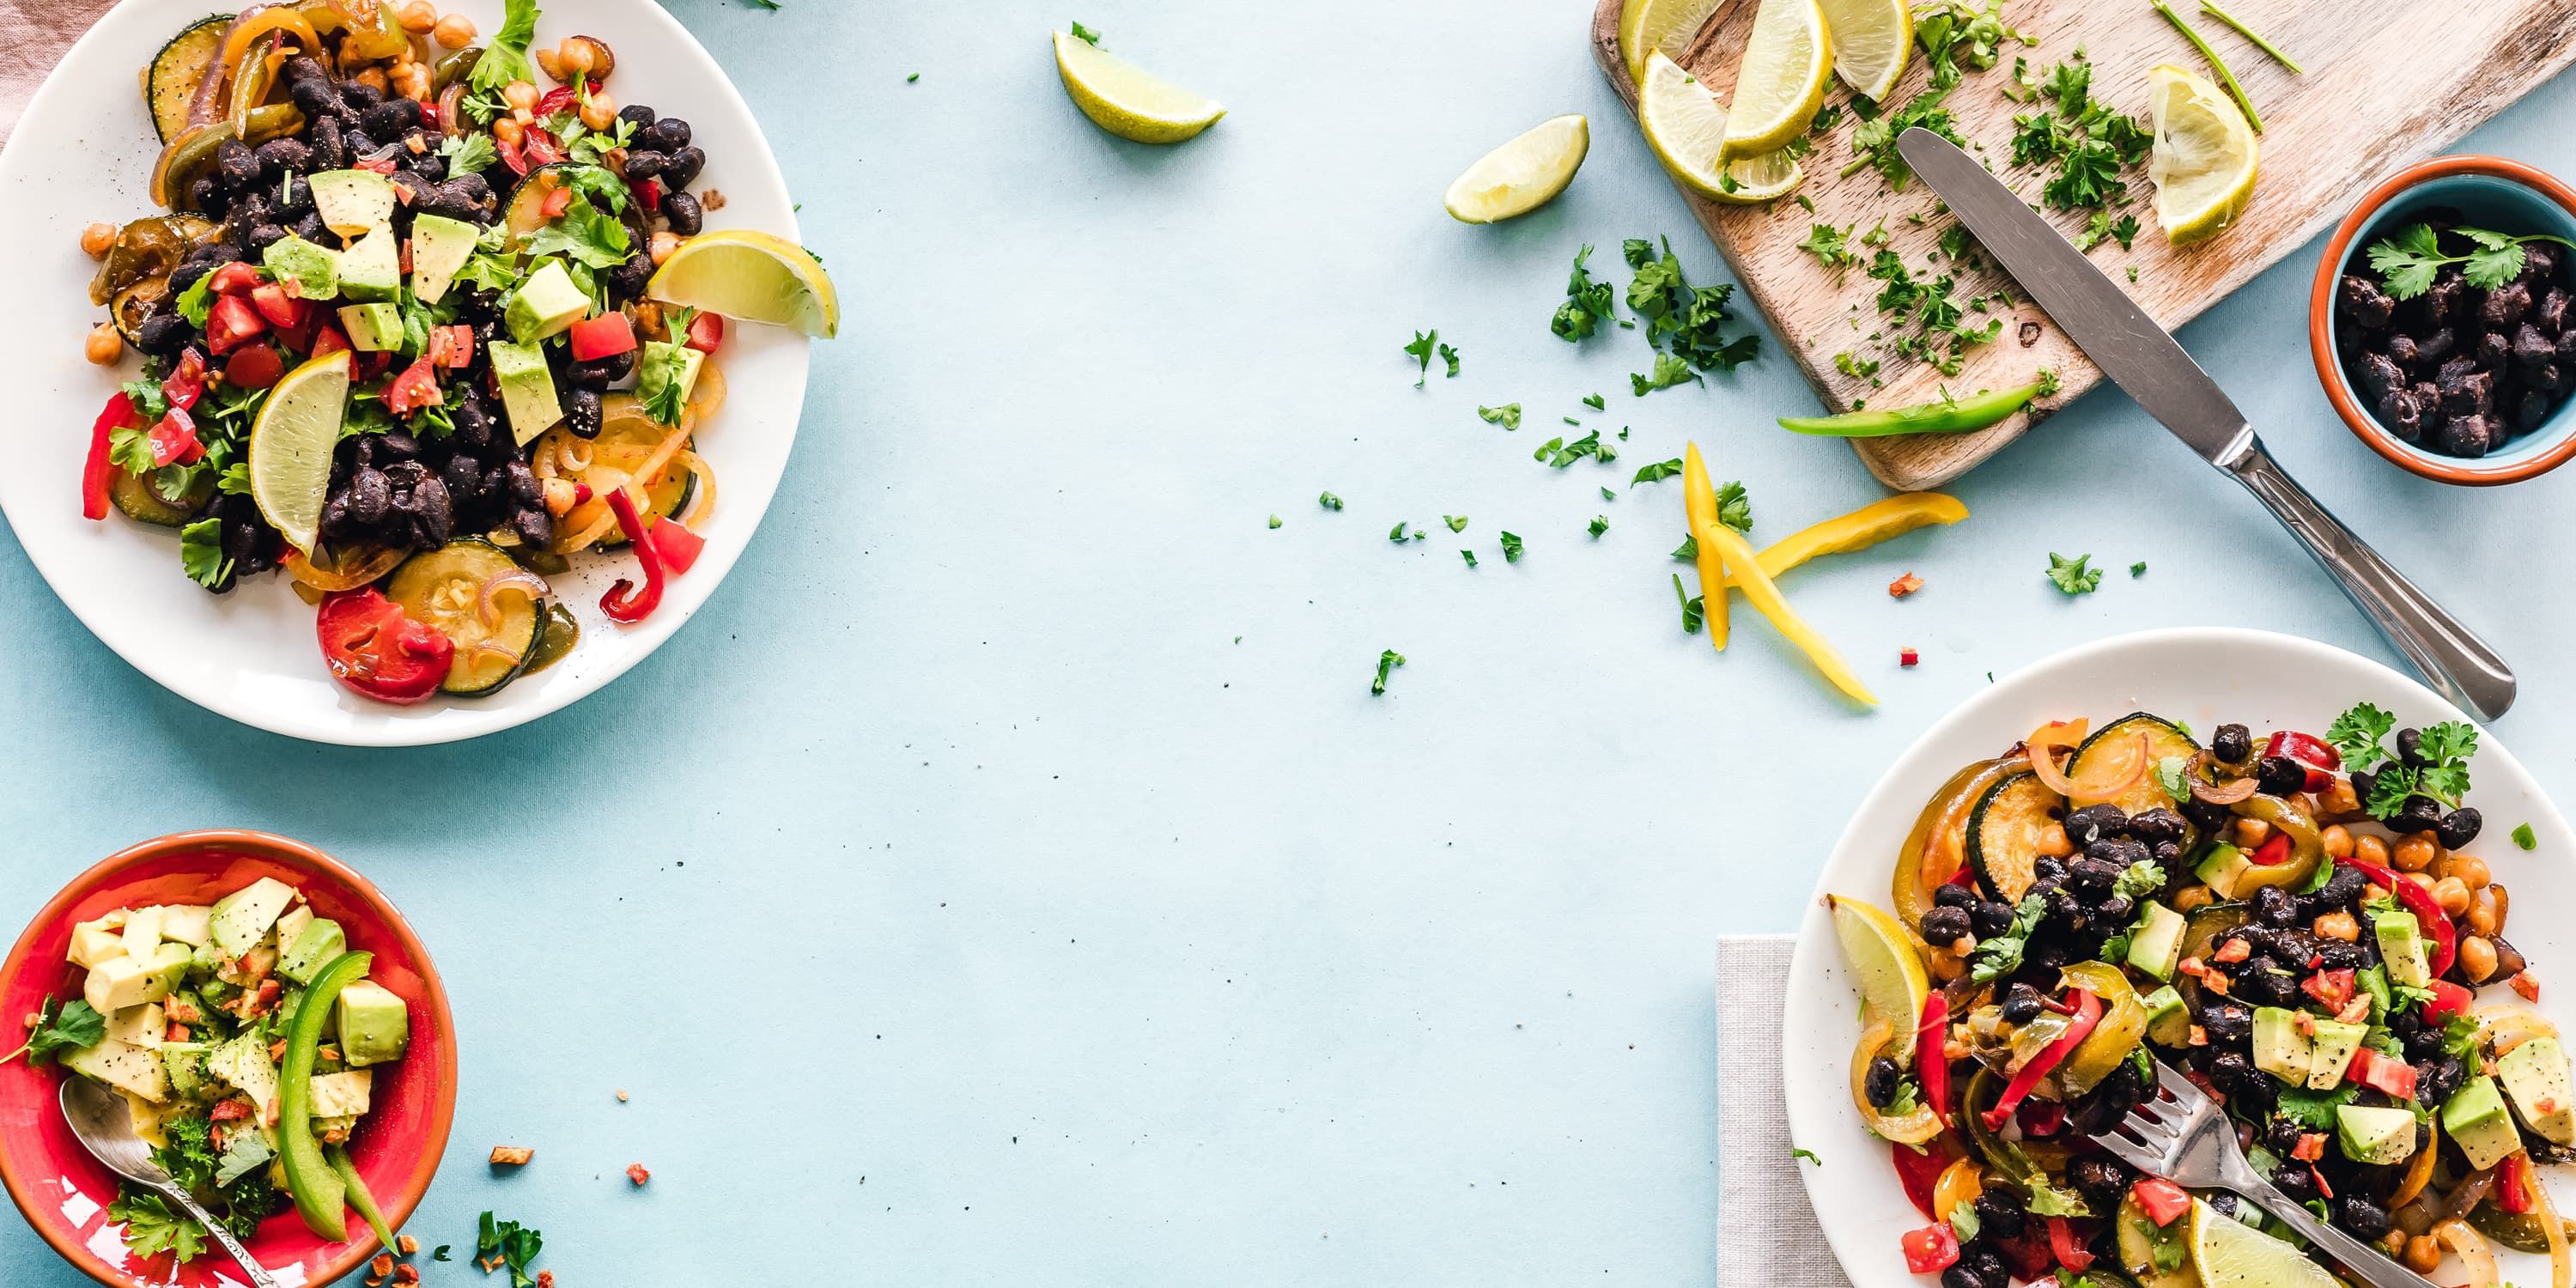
(2098, 316)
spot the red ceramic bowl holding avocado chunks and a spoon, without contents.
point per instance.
(66, 1191)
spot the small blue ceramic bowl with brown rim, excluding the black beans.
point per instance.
(2482, 192)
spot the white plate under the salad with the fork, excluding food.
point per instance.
(2204, 679)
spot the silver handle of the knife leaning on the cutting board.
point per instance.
(2459, 666)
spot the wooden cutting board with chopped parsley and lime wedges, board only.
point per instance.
(2384, 84)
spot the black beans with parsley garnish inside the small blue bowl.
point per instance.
(2459, 339)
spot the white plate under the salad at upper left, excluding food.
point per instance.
(84, 153)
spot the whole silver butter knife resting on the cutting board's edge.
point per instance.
(2145, 359)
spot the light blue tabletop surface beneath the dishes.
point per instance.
(1011, 877)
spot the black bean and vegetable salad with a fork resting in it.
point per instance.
(2297, 923)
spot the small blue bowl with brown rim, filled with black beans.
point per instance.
(2443, 321)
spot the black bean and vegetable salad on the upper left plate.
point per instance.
(416, 328)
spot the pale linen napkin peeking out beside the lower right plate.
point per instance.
(1768, 1233)
